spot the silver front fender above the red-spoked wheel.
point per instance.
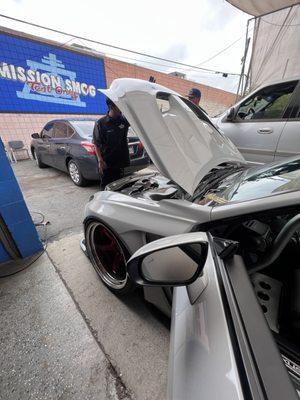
(129, 216)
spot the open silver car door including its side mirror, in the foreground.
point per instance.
(221, 346)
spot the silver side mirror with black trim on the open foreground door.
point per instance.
(172, 261)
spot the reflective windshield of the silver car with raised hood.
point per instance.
(243, 187)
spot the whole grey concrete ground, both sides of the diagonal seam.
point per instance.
(63, 334)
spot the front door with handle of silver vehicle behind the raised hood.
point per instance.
(259, 121)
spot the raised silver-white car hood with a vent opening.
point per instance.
(181, 142)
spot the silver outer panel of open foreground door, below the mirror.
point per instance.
(201, 351)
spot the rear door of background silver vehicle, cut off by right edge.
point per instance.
(289, 142)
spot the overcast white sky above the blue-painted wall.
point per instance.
(188, 31)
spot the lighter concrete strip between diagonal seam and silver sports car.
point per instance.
(134, 340)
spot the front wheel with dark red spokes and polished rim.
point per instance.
(108, 257)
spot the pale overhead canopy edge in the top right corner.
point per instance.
(262, 7)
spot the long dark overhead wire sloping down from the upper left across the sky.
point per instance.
(113, 46)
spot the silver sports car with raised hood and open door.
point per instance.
(240, 249)
